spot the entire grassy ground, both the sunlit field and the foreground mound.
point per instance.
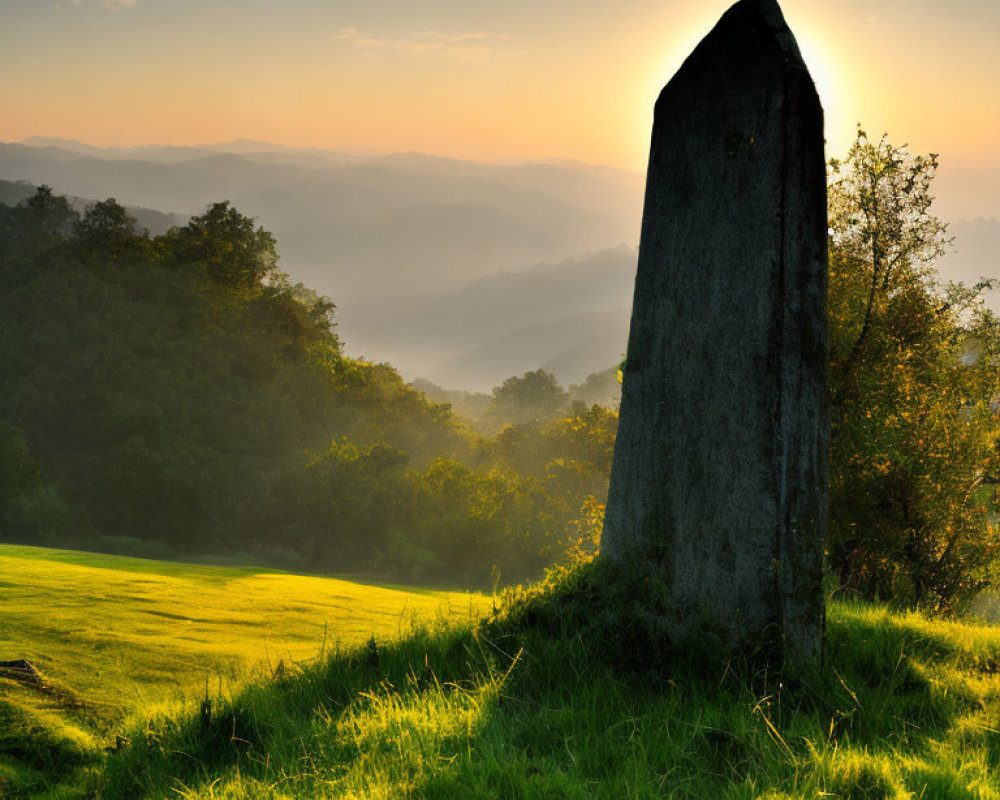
(563, 692)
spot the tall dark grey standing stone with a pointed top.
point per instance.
(719, 479)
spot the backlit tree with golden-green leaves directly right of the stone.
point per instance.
(914, 432)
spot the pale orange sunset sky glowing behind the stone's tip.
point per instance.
(495, 80)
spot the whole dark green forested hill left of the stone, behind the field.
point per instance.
(179, 394)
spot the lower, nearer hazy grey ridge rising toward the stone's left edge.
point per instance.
(512, 322)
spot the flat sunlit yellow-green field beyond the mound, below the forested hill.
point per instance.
(119, 638)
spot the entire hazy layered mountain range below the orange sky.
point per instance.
(462, 272)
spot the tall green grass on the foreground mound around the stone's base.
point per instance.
(568, 692)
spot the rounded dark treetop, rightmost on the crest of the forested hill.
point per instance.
(234, 251)
